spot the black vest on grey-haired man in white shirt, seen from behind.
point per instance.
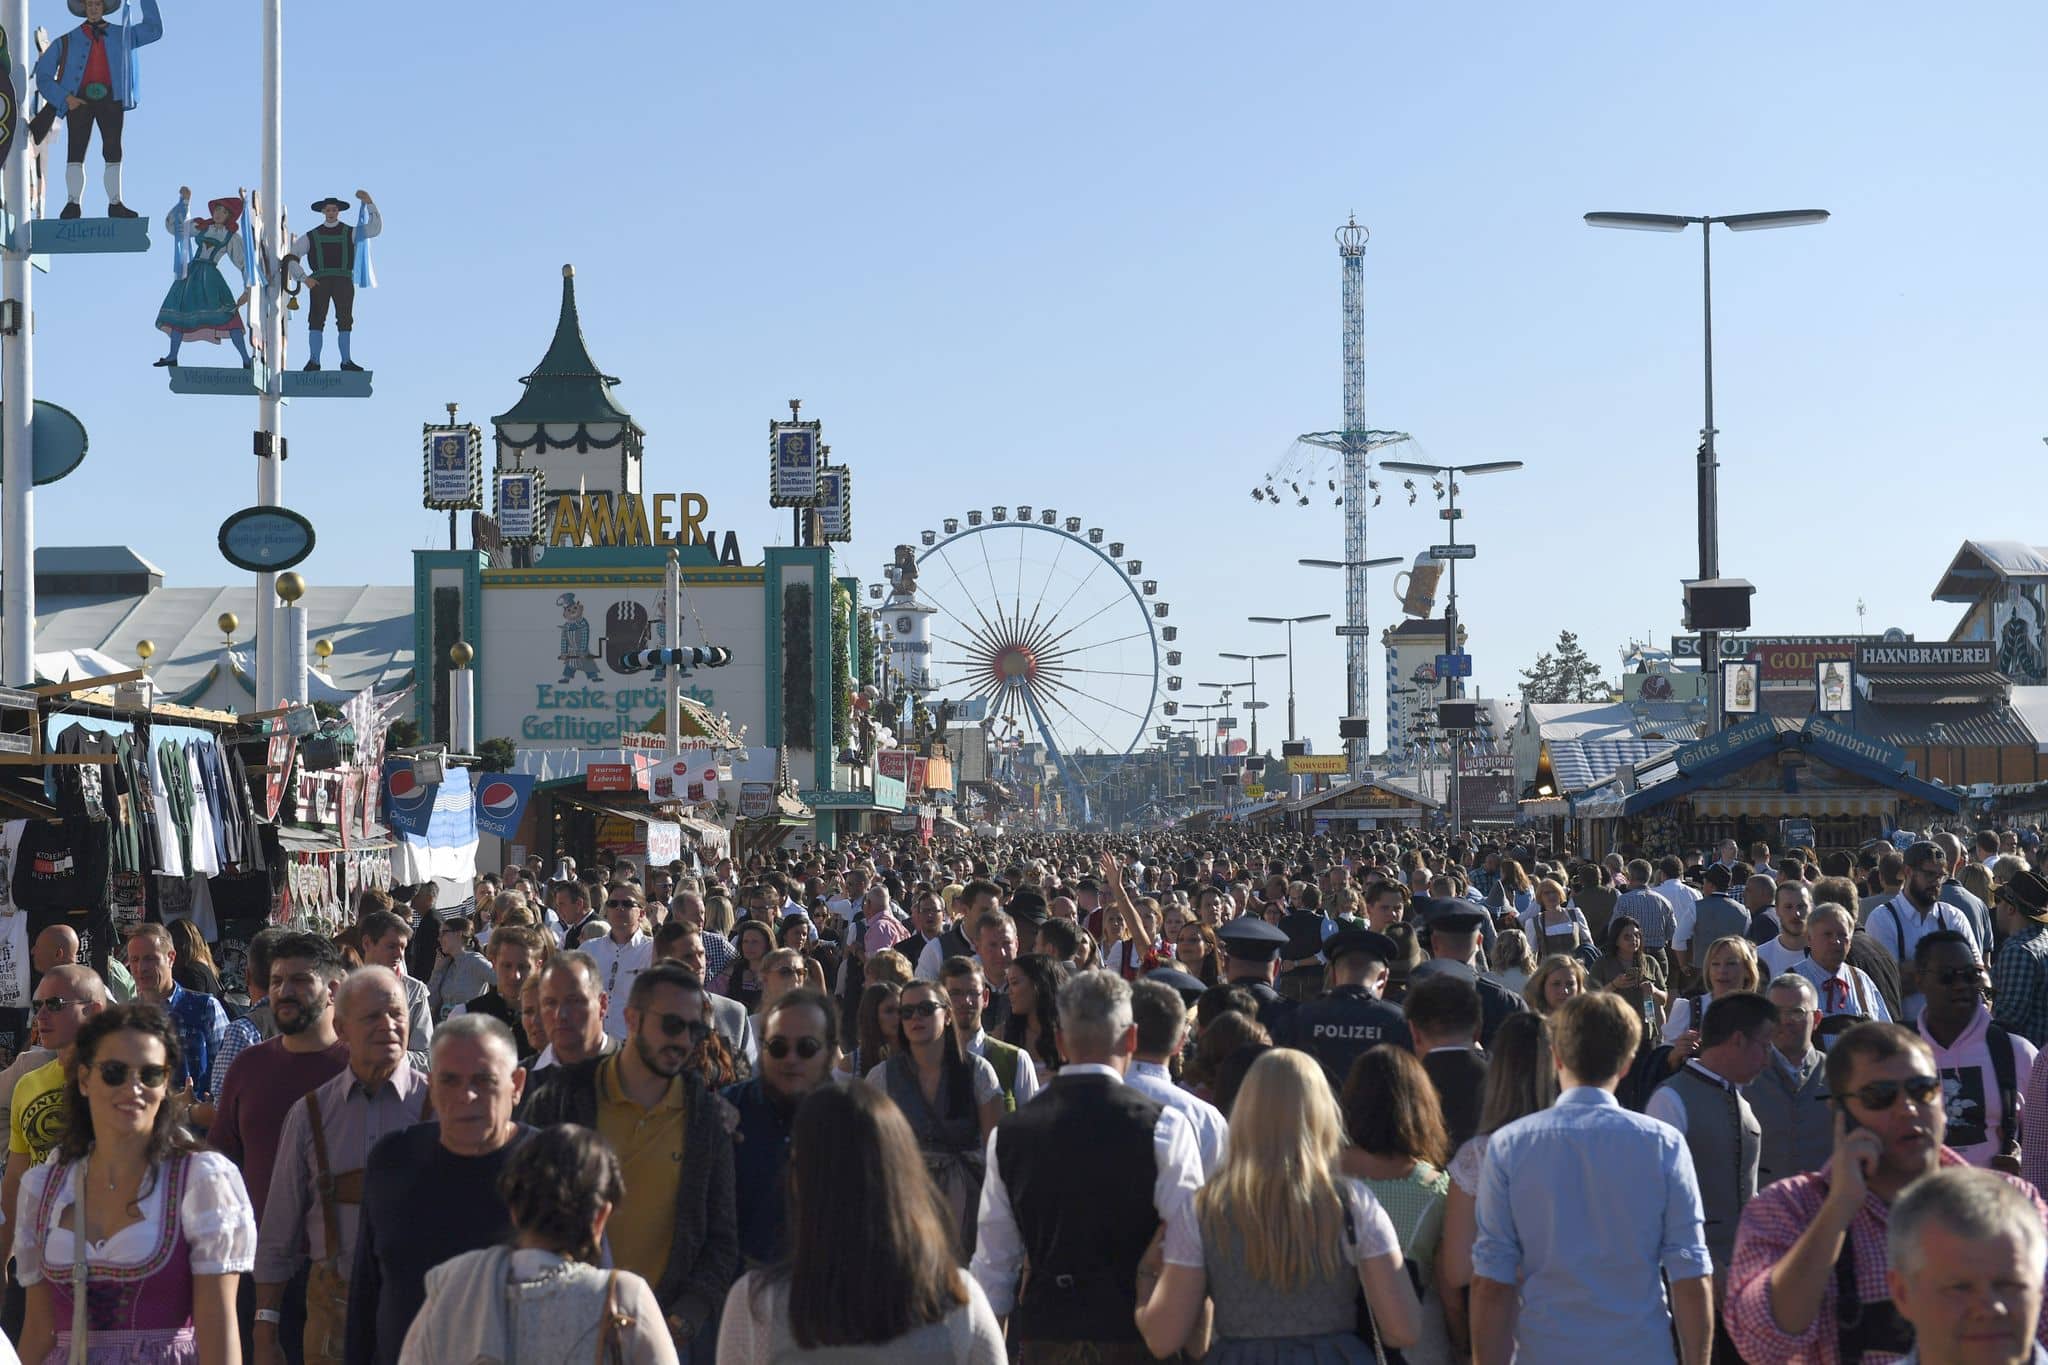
(1080, 1170)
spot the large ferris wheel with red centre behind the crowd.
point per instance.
(1062, 635)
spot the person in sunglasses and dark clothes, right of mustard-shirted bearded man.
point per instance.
(800, 1039)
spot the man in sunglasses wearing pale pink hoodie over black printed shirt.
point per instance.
(1979, 1061)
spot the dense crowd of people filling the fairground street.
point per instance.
(1261, 1100)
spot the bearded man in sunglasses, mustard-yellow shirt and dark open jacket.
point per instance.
(677, 1231)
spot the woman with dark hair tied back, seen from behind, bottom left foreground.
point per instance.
(544, 1298)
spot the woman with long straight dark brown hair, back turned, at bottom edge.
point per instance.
(859, 1198)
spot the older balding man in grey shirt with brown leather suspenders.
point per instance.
(316, 1190)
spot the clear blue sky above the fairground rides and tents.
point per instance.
(1080, 255)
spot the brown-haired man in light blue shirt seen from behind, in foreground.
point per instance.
(1580, 1208)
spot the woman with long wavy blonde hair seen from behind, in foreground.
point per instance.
(1287, 1239)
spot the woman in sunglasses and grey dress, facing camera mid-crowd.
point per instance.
(951, 1100)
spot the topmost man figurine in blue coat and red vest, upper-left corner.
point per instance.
(89, 75)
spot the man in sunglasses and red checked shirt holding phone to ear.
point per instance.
(1809, 1237)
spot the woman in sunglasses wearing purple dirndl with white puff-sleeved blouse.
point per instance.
(169, 1229)
